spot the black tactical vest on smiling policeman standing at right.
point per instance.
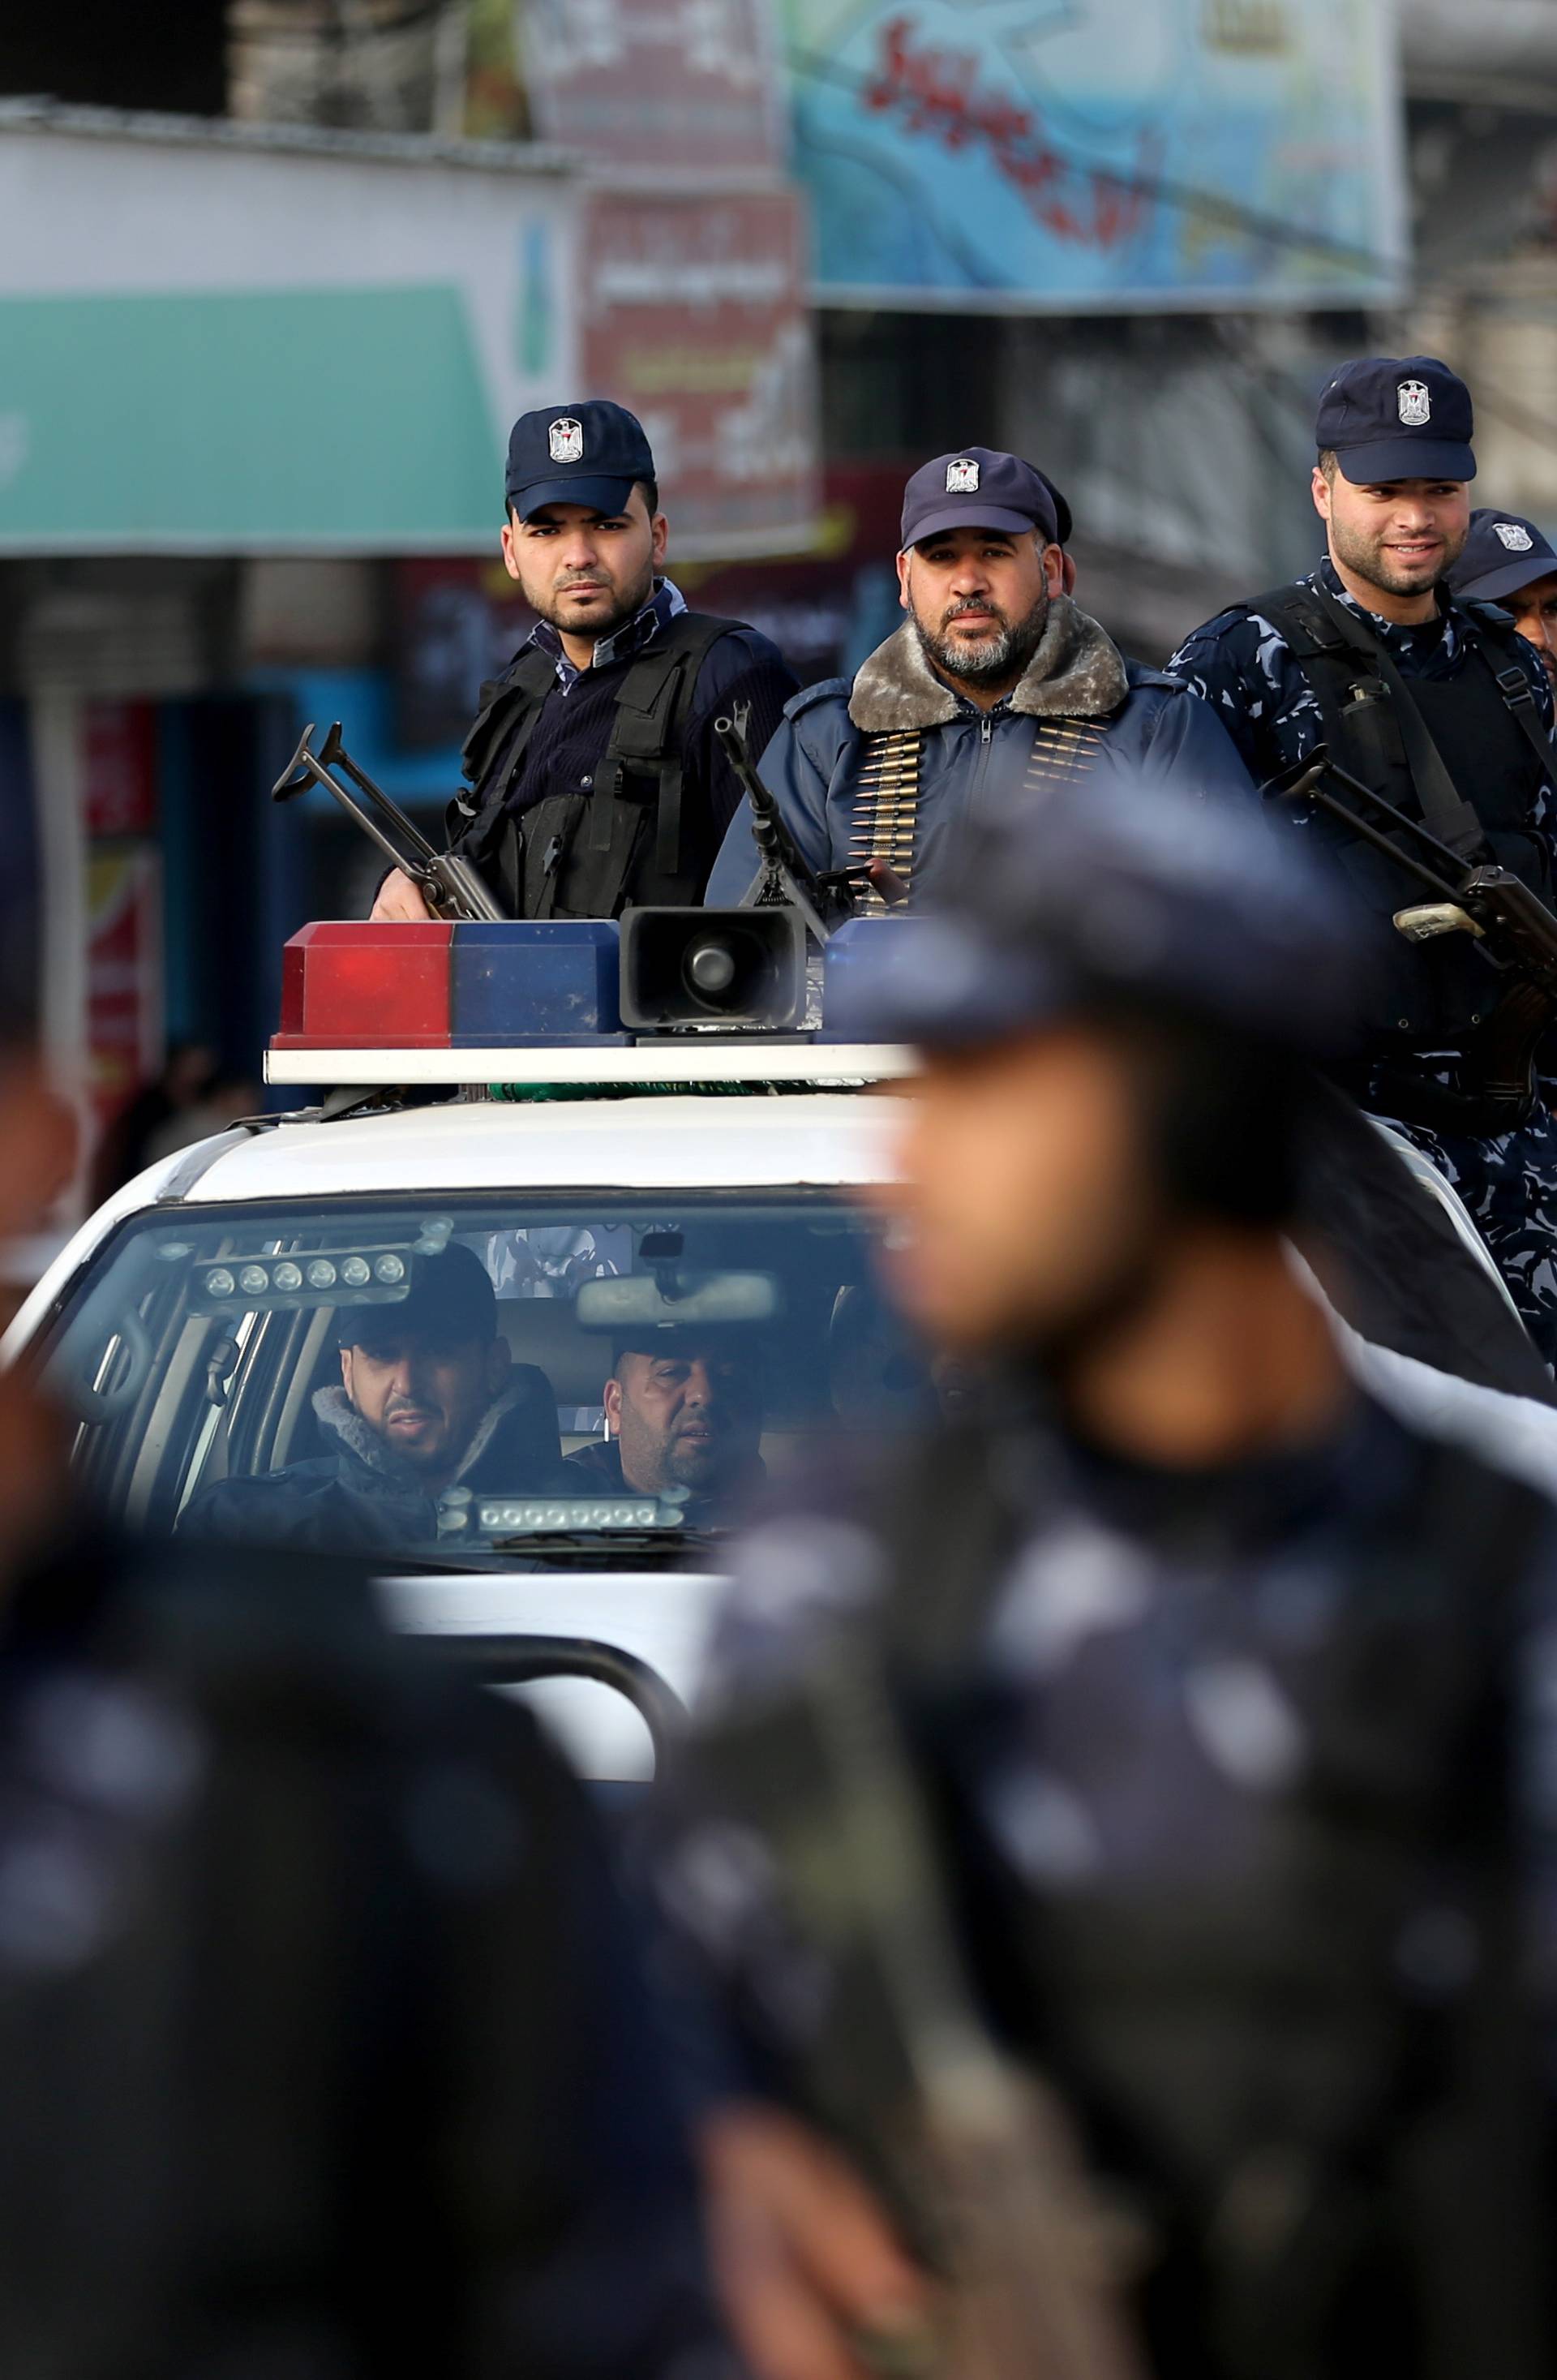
(1489, 734)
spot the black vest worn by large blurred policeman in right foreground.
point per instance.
(1327, 2072)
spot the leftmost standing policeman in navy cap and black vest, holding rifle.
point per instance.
(594, 772)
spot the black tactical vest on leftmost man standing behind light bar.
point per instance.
(623, 841)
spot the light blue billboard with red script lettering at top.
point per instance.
(1101, 154)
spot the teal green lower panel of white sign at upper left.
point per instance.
(265, 420)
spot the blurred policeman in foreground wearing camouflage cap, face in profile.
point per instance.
(1225, 1703)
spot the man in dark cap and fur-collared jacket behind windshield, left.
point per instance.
(427, 1401)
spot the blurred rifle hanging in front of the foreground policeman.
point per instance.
(975, 2155)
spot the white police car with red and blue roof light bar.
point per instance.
(694, 1172)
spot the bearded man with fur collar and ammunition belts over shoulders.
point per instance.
(996, 684)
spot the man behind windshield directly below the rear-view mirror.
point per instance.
(684, 1410)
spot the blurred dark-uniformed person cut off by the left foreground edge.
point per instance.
(318, 2017)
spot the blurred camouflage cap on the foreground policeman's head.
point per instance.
(1142, 894)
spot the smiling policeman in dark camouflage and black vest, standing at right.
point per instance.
(1437, 703)
